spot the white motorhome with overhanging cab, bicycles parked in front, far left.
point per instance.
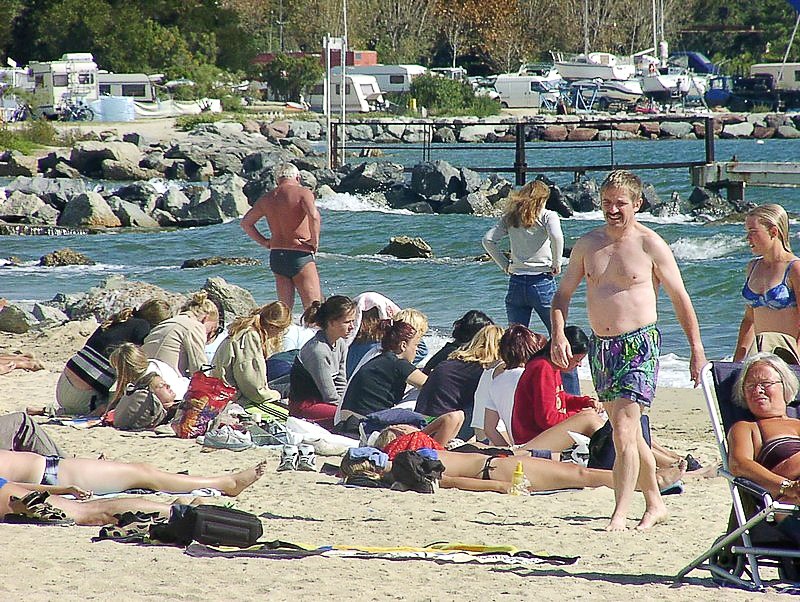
(73, 76)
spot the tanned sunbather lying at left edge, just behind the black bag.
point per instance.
(90, 512)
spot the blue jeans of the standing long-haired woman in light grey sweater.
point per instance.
(534, 292)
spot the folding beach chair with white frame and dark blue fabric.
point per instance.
(753, 541)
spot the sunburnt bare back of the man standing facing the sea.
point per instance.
(287, 211)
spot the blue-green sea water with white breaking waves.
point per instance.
(712, 257)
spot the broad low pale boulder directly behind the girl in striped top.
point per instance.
(114, 294)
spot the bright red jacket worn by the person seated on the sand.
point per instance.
(541, 402)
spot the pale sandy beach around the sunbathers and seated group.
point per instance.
(45, 563)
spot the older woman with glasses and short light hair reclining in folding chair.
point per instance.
(767, 450)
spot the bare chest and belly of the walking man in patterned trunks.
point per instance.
(621, 279)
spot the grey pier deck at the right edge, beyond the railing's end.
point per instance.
(734, 176)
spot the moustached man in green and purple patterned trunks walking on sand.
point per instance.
(624, 263)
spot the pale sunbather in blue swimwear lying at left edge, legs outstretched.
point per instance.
(84, 476)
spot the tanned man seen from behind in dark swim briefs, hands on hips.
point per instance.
(294, 224)
